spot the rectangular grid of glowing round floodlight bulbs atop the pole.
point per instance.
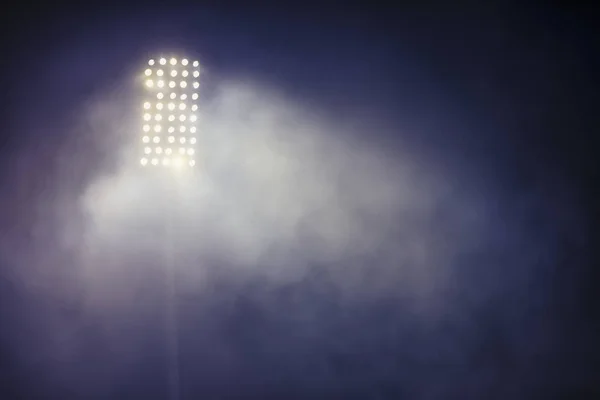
(169, 112)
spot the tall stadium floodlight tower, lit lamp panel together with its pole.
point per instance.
(168, 150)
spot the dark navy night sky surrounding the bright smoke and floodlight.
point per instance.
(503, 100)
